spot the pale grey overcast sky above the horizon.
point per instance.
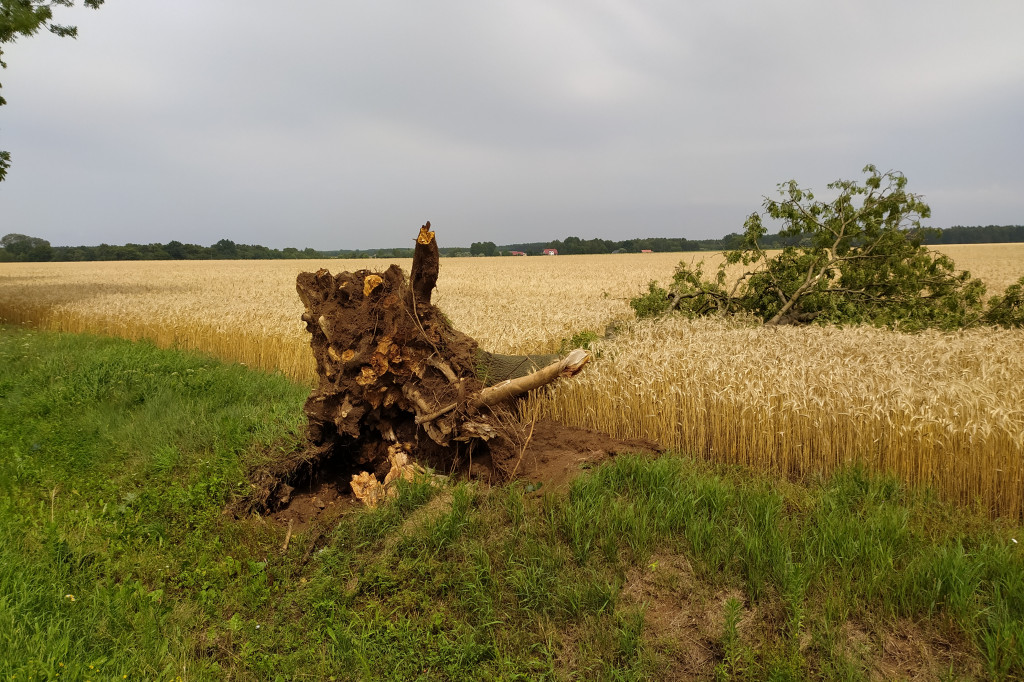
(333, 124)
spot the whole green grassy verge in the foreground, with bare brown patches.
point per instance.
(118, 460)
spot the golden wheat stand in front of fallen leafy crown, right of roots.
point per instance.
(941, 410)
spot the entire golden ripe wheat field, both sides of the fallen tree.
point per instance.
(942, 410)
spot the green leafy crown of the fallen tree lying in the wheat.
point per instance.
(858, 260)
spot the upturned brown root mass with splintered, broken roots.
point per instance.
(394, 372)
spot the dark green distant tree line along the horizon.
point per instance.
(24, 248)
